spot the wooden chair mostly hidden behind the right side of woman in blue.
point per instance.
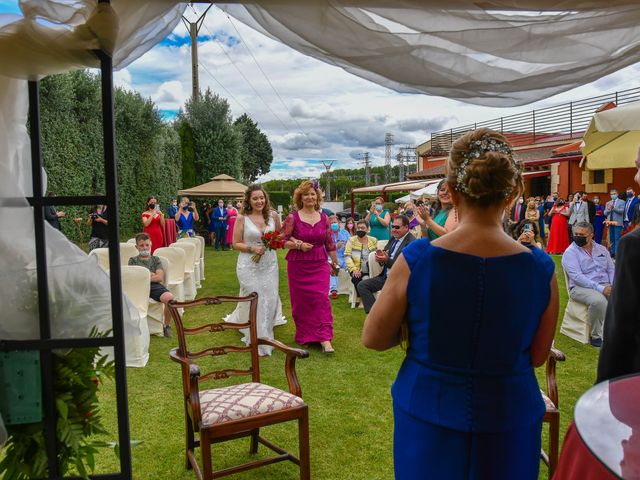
(552, 413)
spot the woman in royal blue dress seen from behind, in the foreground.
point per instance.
(466, 401)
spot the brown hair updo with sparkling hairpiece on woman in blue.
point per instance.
(481, 167)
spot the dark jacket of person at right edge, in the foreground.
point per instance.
(620, 354)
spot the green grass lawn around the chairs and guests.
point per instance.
(347, 393)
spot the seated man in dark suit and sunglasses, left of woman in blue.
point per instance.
(401, 238)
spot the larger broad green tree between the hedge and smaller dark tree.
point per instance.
(217, 144)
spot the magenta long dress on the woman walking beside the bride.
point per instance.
(308, 274)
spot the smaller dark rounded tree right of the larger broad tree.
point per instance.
(257, 154)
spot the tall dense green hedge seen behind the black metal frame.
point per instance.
(148, 150)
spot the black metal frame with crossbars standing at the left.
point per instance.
(45, 345)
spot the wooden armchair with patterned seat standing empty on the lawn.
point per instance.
(226, 413)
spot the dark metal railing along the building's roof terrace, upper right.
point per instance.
(567, 121)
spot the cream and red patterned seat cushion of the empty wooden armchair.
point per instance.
(219, 405)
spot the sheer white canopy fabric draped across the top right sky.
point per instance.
(499, 53)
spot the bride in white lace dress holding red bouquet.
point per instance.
(256, 219)
